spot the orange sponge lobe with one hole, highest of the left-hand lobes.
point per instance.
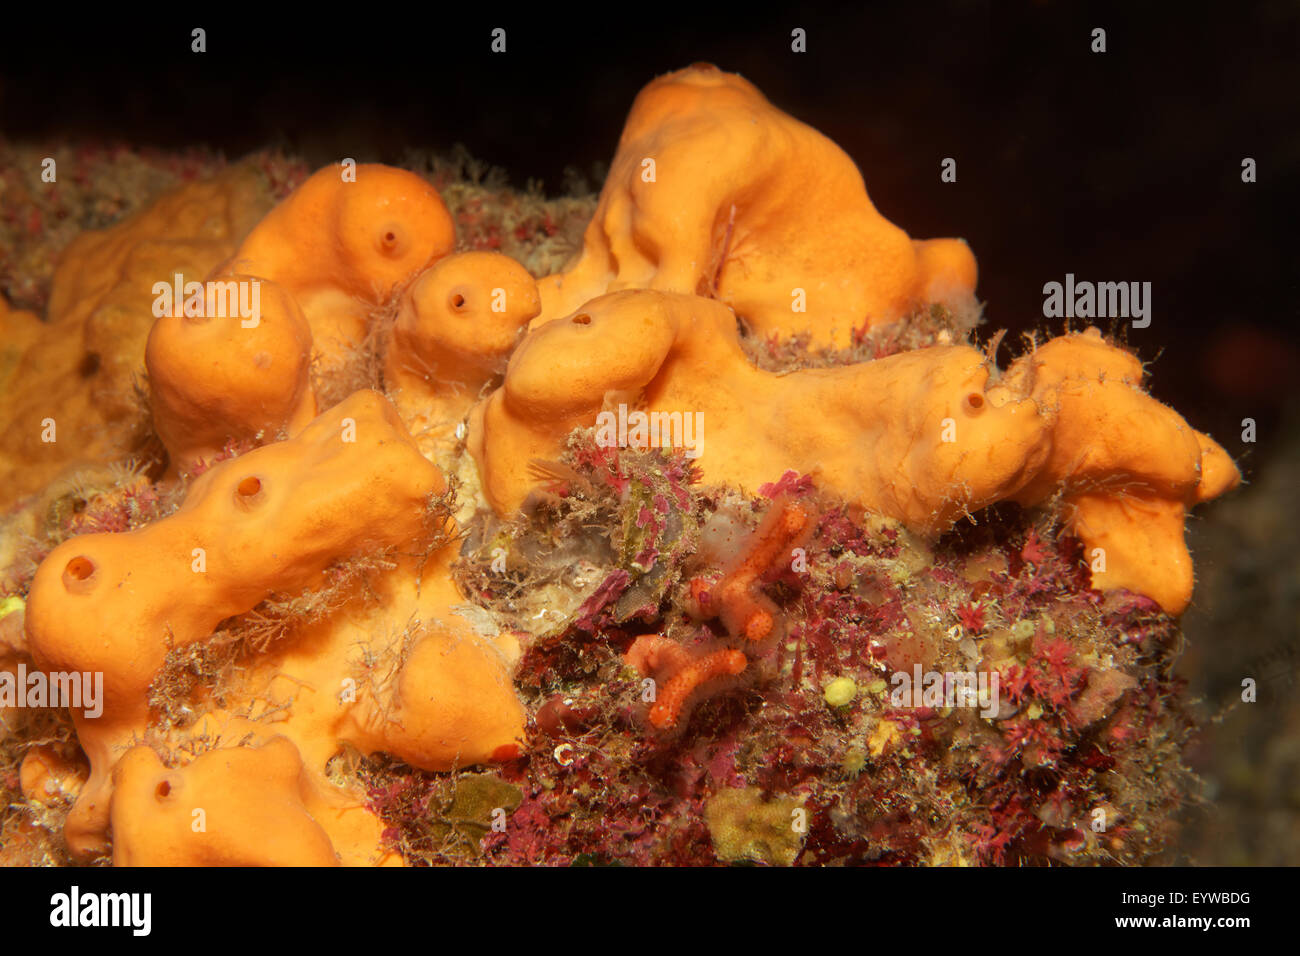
(343, 243)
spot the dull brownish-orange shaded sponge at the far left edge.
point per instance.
(81, 367)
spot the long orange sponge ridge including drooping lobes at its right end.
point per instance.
(924, 438)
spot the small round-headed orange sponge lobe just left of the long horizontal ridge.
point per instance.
(456, 328)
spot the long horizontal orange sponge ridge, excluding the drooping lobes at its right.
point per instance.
(912, 436)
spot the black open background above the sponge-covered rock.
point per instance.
(1117, 167)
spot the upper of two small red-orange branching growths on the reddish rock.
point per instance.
(735, 599)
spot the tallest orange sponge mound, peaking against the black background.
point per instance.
(748, 205)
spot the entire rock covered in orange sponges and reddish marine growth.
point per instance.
(363, 542)
